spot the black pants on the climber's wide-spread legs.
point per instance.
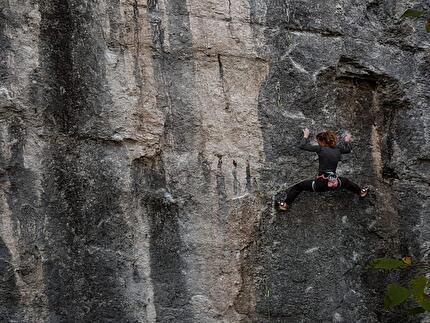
(320, 185)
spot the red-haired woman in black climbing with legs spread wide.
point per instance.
(329, 155)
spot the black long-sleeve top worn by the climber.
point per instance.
(328, 157)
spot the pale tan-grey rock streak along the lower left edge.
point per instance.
(26, 222)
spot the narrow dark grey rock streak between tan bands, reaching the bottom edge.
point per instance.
(171, 298)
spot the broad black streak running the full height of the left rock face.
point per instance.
(84, 226)
